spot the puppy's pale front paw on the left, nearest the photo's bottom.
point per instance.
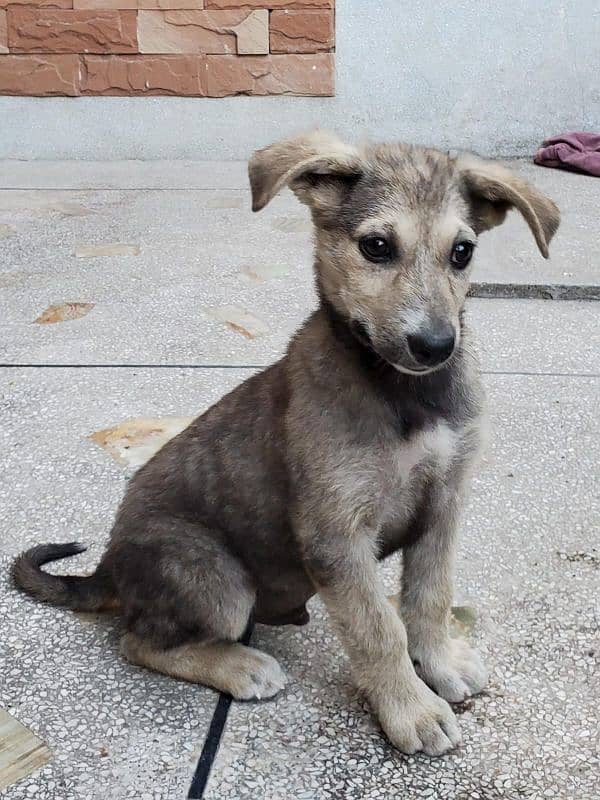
(419, 721)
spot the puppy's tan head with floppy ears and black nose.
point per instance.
(396, 229)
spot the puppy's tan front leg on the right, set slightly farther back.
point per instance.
(450, 666)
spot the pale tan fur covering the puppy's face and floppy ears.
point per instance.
(387, 300)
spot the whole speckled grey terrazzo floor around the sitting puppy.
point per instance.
(156, 344)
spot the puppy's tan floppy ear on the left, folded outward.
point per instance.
(297, 163)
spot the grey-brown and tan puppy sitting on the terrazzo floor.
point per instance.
(358, 443)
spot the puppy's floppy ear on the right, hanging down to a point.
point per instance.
(493, 190)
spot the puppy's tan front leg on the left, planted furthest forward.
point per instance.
(411, 715)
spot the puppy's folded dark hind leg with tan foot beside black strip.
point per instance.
(187, 601)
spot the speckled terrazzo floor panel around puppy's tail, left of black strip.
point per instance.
(115, 731)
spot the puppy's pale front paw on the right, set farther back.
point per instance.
(454, 670)
